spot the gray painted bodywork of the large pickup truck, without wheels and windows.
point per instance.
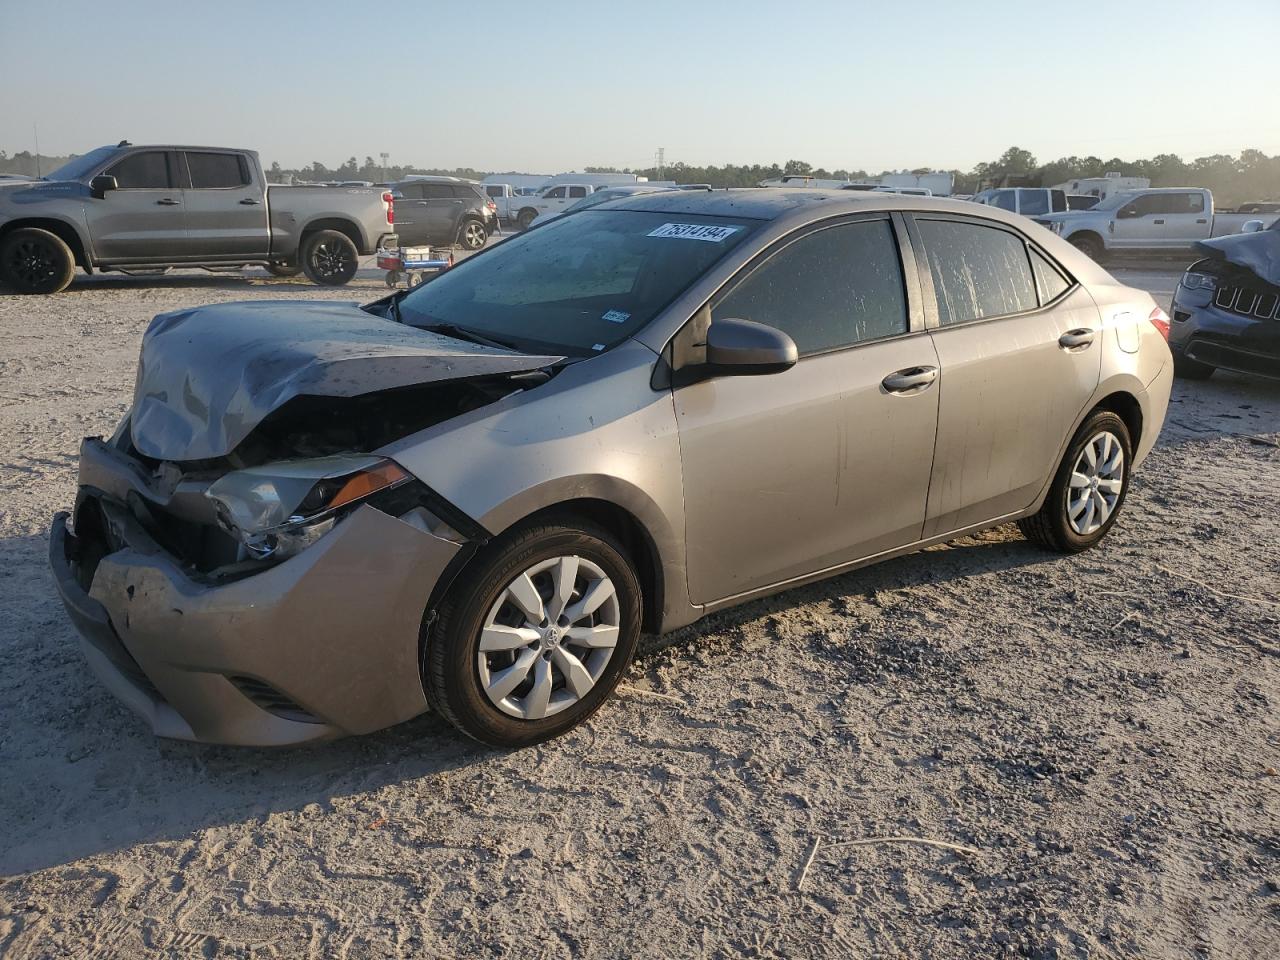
(286, 214)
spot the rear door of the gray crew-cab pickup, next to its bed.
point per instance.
(226, 214)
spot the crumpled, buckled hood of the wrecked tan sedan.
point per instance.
(208, 377)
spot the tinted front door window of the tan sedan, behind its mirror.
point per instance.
(828, 290)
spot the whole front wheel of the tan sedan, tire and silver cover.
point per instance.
(536, 634)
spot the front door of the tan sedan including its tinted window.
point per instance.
(794, 473)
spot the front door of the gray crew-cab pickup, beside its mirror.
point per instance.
(144, 221)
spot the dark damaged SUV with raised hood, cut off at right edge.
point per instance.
(1227, 308)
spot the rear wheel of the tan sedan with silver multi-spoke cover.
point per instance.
(1089, 490)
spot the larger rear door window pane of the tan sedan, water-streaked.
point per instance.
(979, 272)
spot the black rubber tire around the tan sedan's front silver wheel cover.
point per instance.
(451, 665)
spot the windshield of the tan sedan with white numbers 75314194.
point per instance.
(578, 285)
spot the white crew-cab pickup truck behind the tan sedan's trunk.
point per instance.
(1156, 222)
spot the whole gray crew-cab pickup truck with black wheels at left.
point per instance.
(138, 209)
